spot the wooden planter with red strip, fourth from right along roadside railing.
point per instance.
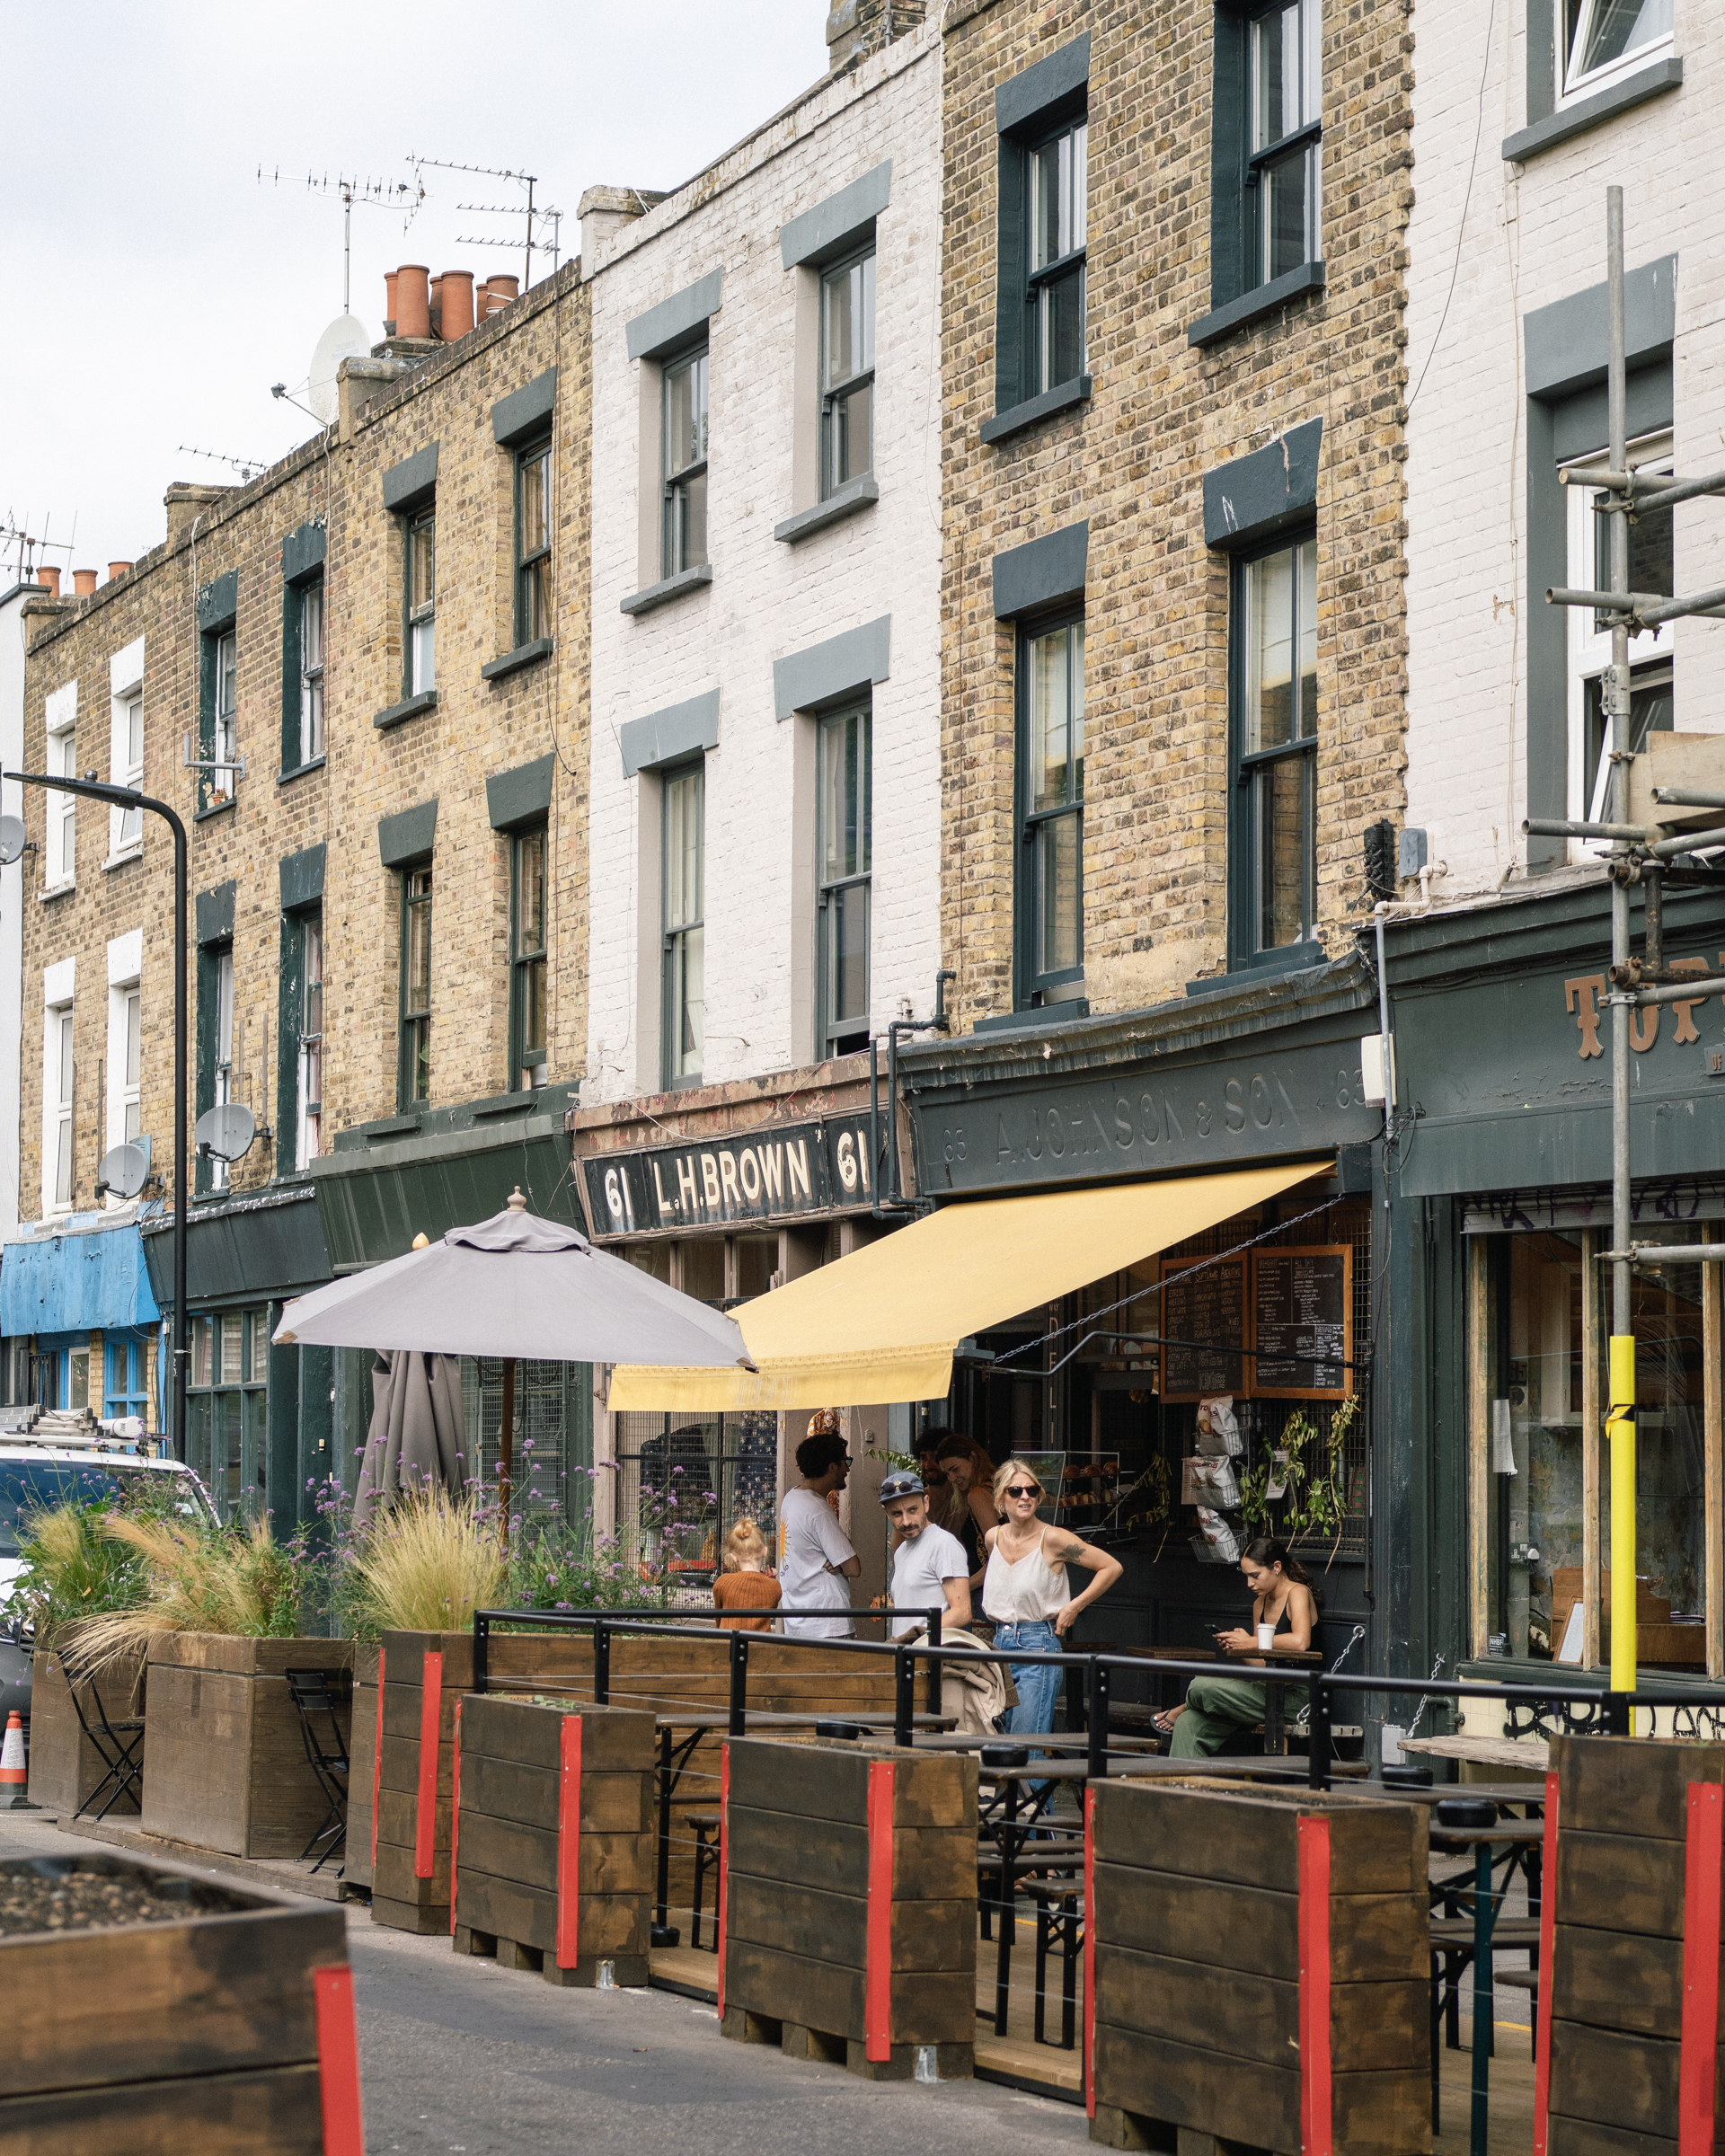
(555, 1838)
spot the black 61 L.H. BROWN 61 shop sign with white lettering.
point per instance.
(775, 1174)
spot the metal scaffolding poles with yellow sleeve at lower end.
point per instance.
(1640, 855)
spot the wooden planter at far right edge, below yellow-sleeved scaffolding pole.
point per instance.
(1633, 1941)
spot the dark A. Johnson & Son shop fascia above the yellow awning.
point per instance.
(1224, 1111)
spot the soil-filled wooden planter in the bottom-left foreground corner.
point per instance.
(165, 2038)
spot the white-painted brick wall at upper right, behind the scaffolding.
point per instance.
(1534, 234)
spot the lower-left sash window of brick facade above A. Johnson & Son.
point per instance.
(1051, 810)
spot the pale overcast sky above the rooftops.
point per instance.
(158, 290)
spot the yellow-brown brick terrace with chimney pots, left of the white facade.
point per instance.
(389, 902)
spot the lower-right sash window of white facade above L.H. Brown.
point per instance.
(844, 786)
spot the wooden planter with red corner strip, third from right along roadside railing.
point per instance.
(851, 1905)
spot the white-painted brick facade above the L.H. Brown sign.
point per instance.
(767, 598)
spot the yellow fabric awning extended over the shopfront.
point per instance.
(883, 1323)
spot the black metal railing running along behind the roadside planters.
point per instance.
(1321, 1687)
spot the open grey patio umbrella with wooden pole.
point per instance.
(514, 1286)
